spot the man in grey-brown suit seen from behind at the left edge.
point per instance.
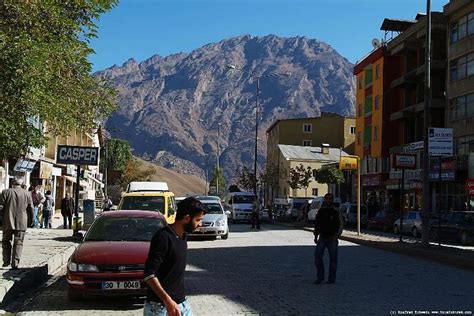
(17, 209)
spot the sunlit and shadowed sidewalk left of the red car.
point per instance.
(44, 252)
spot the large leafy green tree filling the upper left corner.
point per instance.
(45, 73)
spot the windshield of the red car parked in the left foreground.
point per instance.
(124, 229)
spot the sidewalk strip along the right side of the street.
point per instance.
(444, 254)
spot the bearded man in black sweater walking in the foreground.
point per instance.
(166, 262)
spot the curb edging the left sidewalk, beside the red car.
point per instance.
(34, 277)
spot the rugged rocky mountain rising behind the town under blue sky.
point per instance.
(170, 107)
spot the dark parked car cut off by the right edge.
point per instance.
(457, 226)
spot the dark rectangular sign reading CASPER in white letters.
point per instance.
(76, 155)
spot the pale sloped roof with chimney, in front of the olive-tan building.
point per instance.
(292, 152)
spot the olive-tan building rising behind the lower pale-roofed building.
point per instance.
(335, 130)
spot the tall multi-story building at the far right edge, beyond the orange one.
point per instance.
(460, 99)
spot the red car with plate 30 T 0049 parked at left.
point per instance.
(111, 259)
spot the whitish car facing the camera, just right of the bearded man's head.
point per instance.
(214, 222)
